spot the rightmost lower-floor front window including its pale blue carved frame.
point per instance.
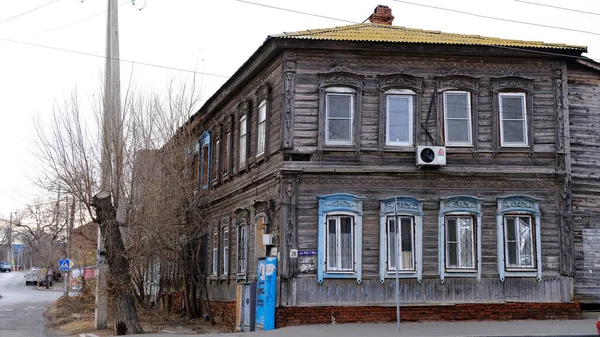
(519, 237)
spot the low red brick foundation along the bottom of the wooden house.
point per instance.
(224, 313)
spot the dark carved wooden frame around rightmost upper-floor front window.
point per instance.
(513, 84)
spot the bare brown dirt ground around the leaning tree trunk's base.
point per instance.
(75, 315)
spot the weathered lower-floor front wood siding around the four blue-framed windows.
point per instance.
(429, 188)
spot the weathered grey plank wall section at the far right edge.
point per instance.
(584, 111)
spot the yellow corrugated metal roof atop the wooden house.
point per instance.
(383, 33)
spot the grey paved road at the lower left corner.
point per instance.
(21, 307)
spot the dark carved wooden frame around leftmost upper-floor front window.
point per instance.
(340, 78)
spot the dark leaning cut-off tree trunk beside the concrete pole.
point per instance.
(119, 285)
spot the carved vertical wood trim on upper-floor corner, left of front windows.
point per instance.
(289, 90)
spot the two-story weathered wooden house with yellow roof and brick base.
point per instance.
(465, 165)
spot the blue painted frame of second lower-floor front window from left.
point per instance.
(405, 206)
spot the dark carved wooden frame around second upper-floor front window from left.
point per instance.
(399, 84)
